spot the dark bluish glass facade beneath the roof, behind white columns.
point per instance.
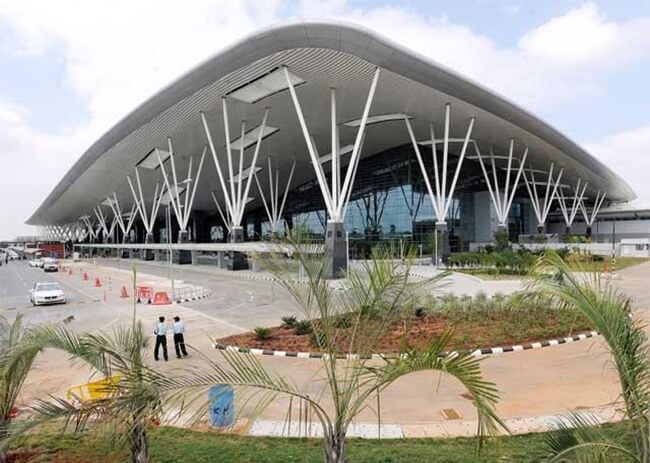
(390, 203)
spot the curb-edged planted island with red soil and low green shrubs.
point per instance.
(486, 324)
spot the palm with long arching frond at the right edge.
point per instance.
(610, 313)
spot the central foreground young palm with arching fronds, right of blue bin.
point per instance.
(348, 321)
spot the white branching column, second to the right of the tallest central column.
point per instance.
(502, 196)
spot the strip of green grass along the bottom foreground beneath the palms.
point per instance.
(175, 445)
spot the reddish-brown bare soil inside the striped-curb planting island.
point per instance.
(503, 330)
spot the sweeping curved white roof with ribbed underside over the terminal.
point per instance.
(323, 55)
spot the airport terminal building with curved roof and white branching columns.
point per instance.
(332, 128)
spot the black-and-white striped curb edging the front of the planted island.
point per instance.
(476, 353)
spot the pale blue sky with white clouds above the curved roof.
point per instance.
(70, 70)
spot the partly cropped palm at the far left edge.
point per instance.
(14, 337)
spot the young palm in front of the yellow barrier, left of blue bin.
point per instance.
(127, 407)
